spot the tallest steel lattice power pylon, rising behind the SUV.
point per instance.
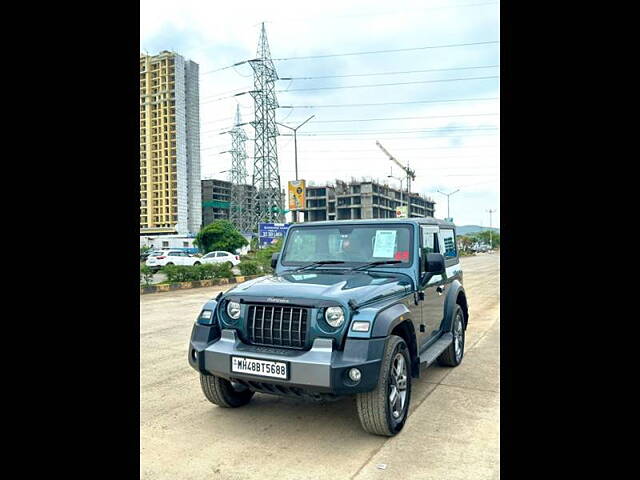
(267, 198)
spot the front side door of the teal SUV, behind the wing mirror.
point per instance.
(434, 291)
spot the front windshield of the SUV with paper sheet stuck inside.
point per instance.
(351, 244)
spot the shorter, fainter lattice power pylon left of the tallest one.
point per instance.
(240, 212)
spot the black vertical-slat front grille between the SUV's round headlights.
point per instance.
(277, 326)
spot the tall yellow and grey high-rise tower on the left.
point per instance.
(170, 196)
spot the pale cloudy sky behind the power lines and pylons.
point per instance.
(449, 134)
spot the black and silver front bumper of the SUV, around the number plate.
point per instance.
(322, 369)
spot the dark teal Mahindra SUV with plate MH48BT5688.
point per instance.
(352, 308)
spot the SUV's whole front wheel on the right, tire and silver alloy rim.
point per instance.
(383, 411)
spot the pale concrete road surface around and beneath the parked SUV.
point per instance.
(452, 431)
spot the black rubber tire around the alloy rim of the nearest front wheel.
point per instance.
(373, 407)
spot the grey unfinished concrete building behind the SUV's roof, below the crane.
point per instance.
(361, 200)
